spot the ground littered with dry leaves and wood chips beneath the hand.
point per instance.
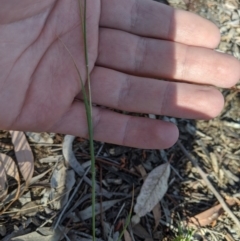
(190, 203)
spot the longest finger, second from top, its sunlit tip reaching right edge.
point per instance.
(164, 59)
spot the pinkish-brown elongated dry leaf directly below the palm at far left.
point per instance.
(23, 154)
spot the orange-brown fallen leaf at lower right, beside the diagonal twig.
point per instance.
(208, 216)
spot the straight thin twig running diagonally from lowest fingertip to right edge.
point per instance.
(209, 185)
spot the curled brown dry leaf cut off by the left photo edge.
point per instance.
(10, 170)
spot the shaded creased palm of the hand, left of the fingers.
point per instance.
(39, 82)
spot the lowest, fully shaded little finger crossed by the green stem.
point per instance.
(118, 129)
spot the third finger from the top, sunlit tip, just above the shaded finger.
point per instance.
(143, 95)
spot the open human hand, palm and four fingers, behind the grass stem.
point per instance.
(132, 46)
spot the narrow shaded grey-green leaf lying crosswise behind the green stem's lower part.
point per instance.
(87, 213)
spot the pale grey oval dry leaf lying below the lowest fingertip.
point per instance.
(153, 189)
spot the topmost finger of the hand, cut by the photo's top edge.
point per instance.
(151, 19)
